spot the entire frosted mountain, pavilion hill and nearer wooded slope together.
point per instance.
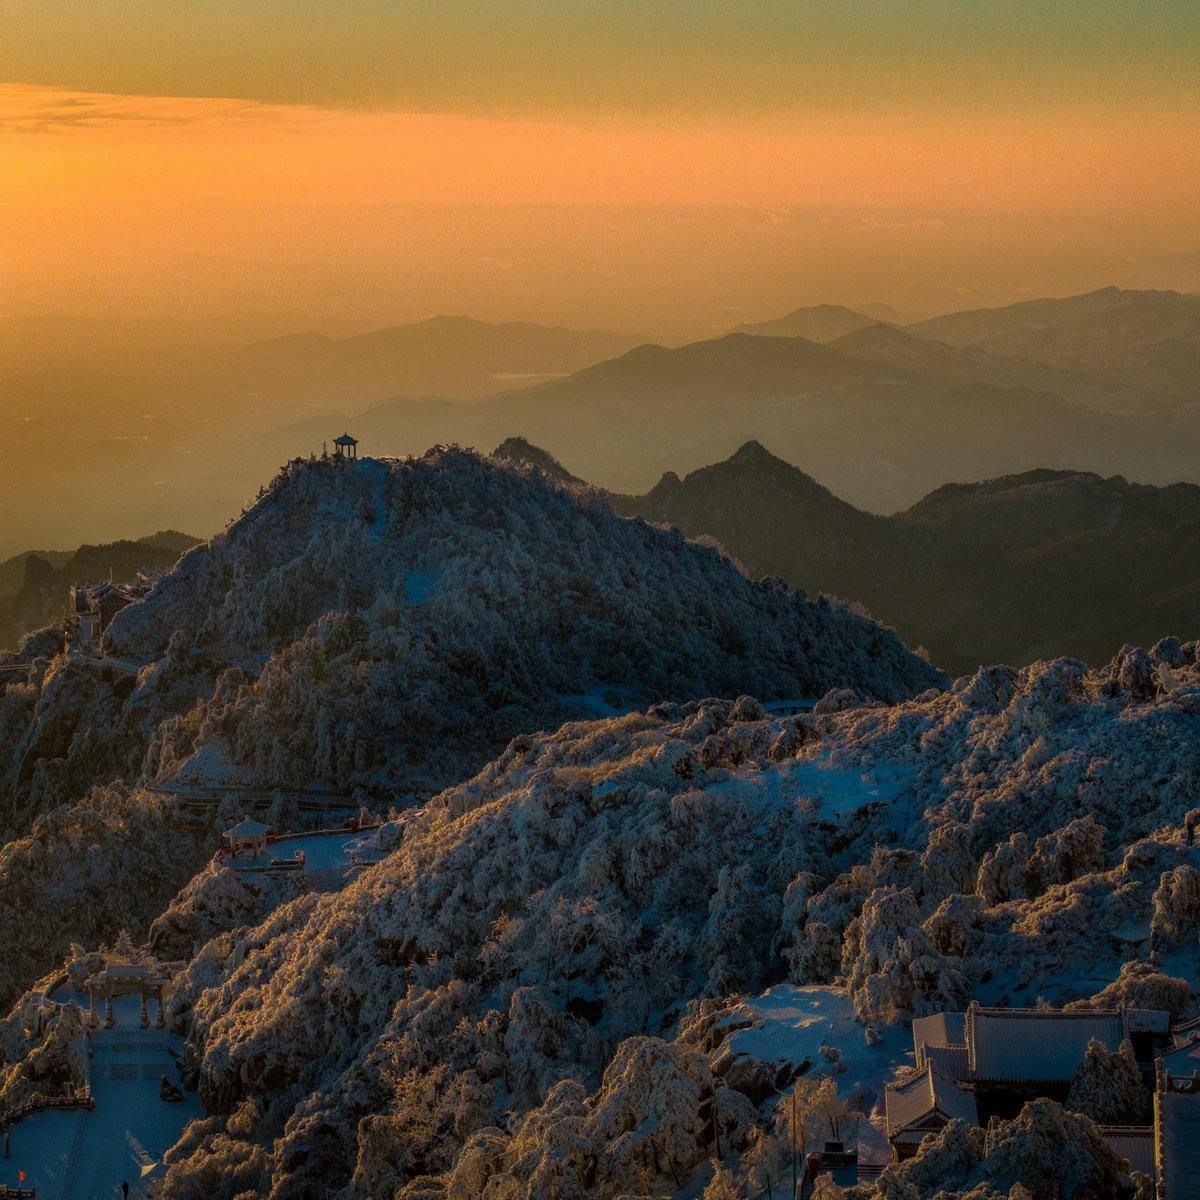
(590, 963)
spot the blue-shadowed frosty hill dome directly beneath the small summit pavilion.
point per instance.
(410, 616)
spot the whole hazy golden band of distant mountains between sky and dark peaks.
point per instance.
(881, 413)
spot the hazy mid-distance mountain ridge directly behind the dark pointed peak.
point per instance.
(881, 431)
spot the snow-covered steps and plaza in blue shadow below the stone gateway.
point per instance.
(86, 1156)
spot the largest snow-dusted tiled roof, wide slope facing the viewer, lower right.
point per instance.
(1035, 1046)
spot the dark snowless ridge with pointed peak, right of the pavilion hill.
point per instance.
(1009, 571)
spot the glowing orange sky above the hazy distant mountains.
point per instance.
(653, 175)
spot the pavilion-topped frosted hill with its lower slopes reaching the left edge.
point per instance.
(380, 629)
